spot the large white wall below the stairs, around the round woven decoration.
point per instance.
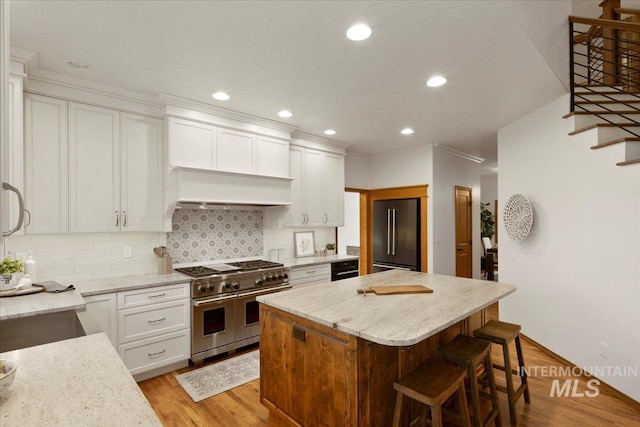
(578, 273)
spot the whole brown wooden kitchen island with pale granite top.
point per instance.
(329, 356)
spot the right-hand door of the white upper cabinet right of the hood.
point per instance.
(334, 190)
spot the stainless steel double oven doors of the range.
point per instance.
(219, 322)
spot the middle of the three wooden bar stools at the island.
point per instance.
(470, 352)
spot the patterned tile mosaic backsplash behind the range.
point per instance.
(206, 235)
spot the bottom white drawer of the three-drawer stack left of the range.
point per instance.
(152, 353)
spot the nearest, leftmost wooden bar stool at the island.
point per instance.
(433, 383)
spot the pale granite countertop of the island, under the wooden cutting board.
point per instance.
(394, 320)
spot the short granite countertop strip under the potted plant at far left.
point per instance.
(40, 303)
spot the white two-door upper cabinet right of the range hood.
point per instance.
(317, 189)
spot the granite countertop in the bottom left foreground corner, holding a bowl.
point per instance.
(76, 382)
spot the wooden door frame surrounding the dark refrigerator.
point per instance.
(367, 197)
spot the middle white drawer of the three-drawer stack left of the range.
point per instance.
(145, 322)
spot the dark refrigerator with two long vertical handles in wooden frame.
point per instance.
(396, 234)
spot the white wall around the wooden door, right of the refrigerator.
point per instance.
(450, 170)
